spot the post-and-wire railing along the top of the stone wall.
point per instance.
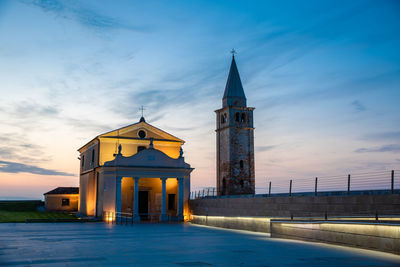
(384, 181)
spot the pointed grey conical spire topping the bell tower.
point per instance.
(234, 93)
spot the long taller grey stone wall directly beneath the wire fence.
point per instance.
(298, 206)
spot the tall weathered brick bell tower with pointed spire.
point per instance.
(235, 139)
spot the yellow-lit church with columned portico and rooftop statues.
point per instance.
(138, 170)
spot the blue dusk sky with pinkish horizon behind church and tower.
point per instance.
(324, 77)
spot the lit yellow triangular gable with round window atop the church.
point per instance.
(132, 131)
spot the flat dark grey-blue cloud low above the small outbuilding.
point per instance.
(14, 167)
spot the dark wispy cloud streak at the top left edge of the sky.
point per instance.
(89, 18)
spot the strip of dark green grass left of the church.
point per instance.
(21, 216)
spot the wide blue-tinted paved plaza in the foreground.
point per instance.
(99, 244)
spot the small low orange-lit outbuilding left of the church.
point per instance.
(62, 199)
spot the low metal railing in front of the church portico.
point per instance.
(129, 218)
